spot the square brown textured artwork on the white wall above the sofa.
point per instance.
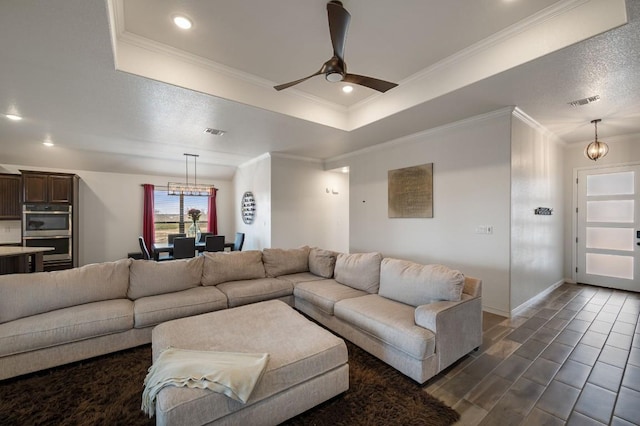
(411, 191)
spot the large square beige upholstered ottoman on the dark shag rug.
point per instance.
(307, 365)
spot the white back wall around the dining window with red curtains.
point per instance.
(110, 209)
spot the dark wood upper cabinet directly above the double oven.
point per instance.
(47, 187)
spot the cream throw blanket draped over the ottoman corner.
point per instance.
(230, 373)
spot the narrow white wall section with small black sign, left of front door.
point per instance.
(537, 254)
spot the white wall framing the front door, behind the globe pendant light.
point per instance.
(622, 150)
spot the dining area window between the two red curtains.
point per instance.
(170, 215)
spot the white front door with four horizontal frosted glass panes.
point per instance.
(608, 227)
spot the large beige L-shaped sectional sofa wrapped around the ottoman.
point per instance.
(417, 318)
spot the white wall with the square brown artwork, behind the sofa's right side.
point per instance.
(471, 186)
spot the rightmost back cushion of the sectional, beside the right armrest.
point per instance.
(416, 284)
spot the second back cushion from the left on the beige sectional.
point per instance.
(149, 278)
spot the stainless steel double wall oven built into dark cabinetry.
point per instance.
(48, 225)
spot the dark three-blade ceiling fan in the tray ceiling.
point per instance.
(335, 68)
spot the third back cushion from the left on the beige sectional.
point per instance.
(220, 267)
